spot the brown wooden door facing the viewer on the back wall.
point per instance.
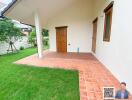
(61, 39)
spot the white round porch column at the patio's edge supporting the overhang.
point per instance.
(38, 35)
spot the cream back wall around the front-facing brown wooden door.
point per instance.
(78, 18)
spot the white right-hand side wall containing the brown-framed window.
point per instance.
(116, 54)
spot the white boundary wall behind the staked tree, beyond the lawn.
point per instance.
(22, 42)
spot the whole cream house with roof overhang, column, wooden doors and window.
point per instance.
(102, 27)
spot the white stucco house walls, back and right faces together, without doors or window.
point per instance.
(116, 55)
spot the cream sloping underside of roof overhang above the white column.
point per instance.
(23, 10)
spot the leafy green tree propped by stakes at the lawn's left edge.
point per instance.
(9, 33)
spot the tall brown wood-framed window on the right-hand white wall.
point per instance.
(108, 22)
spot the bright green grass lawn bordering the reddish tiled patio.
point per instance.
(21, 82)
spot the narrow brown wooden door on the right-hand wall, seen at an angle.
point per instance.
(94, 35)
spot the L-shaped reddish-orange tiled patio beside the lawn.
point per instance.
(93, 76)
